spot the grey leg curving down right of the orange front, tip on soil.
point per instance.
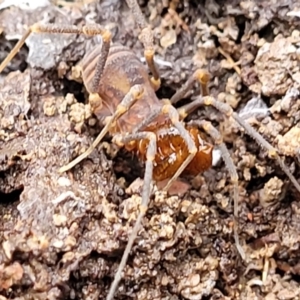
(215, 134)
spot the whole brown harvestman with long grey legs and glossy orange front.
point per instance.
(123, 98)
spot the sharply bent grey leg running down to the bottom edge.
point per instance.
(150, 155)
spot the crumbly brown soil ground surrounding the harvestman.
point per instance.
(62, 236)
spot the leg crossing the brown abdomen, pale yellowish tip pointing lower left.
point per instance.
(131, 97)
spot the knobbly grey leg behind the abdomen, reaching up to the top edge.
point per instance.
(146, 38)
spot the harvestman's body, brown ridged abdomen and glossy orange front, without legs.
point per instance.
(123, 69)
